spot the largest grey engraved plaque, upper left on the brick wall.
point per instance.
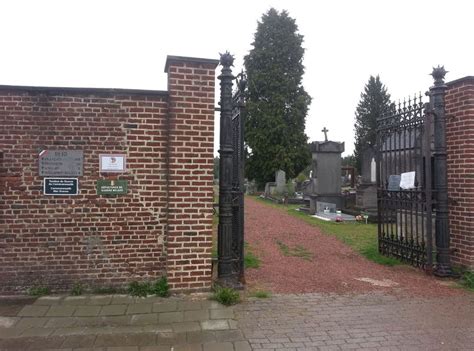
(61, 163)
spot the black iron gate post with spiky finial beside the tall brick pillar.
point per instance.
(225, 272)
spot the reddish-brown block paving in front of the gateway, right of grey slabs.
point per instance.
(358, 322)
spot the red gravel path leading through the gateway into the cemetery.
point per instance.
(334, 267)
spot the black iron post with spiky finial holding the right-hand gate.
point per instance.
(437, 93)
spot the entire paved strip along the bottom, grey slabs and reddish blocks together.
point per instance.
(323, 322)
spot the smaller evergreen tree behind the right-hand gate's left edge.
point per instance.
(374, 100)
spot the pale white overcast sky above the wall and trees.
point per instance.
(123, 44)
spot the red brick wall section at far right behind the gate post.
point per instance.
(460, 152)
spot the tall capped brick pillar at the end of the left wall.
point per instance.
(191, 87)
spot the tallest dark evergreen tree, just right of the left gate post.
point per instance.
(276, 100)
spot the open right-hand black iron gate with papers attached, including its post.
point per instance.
(412, 181)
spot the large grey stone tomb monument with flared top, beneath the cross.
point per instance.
(325, 188)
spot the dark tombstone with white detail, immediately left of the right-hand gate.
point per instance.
(366, 198)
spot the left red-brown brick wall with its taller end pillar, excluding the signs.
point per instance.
(164, 223)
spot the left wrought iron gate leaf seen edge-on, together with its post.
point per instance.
(231, 178)
